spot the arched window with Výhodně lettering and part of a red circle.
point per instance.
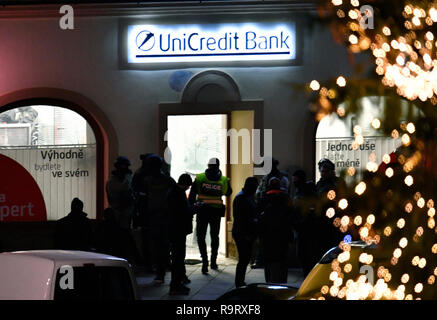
(58, 148)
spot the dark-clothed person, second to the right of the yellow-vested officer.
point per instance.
(275, 232)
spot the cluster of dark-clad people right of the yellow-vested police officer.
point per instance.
(267, 220)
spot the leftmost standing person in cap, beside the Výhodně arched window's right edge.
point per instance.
(120, 194)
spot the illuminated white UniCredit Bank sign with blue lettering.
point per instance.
(218, 42)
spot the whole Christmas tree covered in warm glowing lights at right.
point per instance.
(393, 206)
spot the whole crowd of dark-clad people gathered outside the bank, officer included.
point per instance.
(266, 220)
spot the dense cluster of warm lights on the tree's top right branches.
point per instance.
(401, 40)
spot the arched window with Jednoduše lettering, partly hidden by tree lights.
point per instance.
(335, 137)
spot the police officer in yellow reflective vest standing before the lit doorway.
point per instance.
(206, 196)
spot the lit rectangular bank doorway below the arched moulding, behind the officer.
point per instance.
(193, 137)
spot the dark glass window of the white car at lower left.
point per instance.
(94, 283)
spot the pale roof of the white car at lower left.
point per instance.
(65, 255)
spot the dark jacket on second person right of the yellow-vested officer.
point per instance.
(275, 227)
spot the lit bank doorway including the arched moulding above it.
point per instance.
(210, 102)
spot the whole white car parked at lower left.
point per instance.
(65, 275)
